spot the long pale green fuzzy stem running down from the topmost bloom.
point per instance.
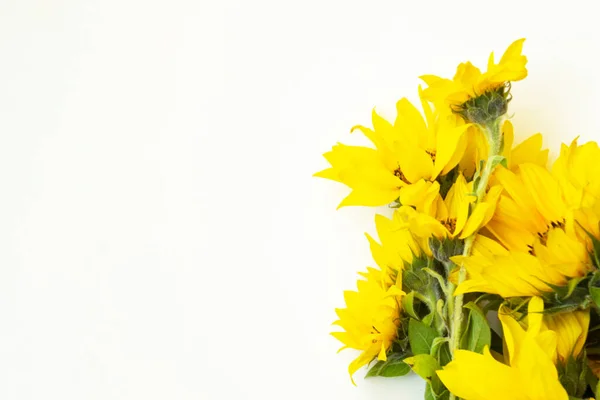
(494, 138)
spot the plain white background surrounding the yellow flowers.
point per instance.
(161, 235)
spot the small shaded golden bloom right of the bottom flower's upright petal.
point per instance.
(571, 332)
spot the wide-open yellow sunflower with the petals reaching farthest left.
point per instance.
(411, 153)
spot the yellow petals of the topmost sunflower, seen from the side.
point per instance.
(470, 82)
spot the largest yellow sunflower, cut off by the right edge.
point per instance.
(541, 220)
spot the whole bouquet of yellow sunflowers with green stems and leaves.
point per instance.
(487, 276)
